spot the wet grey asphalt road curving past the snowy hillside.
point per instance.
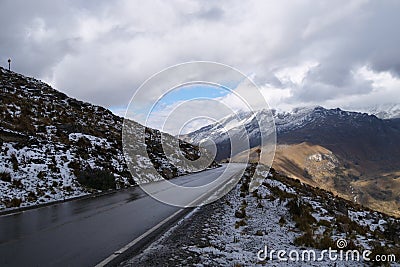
(86, 231)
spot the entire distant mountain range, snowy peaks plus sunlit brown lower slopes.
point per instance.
(364, 148)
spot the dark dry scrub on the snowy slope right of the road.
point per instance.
(318, 233)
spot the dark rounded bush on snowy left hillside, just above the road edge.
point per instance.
(97, 179)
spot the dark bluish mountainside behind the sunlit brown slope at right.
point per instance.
(358, 137)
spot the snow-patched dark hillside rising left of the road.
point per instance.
(55, 147)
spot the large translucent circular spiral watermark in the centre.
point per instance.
(182, 99)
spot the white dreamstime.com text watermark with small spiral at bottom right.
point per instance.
(340, 253)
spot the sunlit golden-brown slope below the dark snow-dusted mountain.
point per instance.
(320, 167)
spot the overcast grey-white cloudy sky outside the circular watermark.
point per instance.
(330, 53)
